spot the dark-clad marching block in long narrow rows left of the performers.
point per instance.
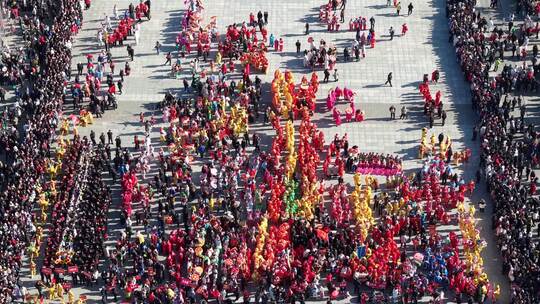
(79, 214)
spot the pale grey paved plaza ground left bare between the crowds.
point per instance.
(423, 49)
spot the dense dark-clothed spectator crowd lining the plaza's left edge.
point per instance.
(29, 126)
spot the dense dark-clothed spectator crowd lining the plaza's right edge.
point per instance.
(509, 145)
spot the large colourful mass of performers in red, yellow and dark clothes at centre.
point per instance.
(251, 215)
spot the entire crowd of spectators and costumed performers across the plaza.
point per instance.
(252, 214)
